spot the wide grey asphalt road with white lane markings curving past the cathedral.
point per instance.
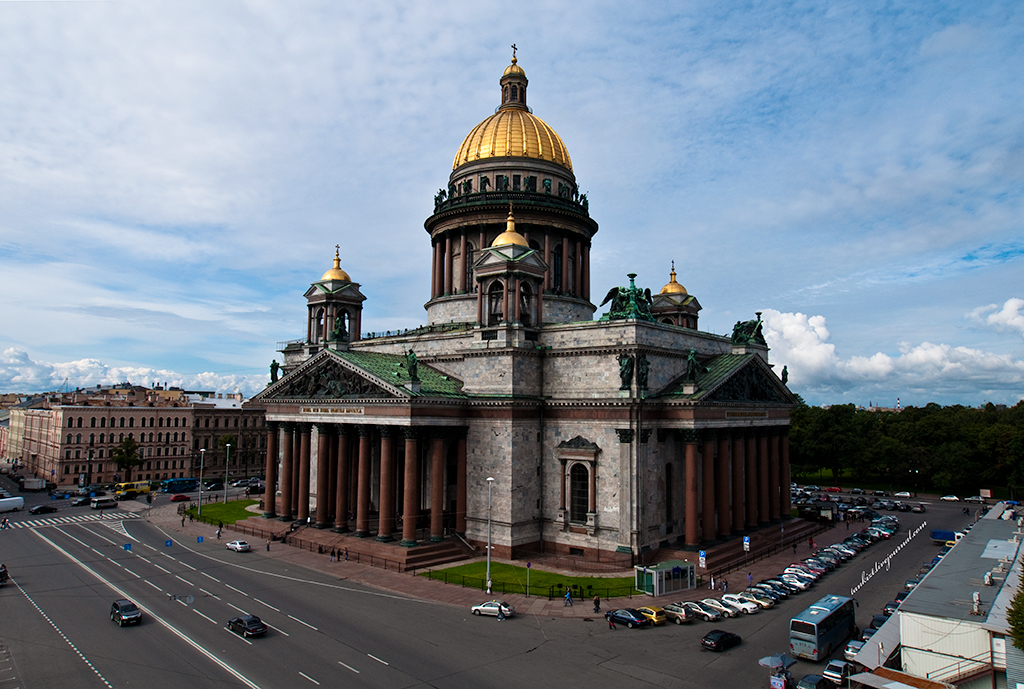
(326, 632)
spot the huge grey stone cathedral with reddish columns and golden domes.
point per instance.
(596, 436)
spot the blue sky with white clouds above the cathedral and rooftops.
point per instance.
(174, 177)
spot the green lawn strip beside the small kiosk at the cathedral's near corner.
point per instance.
(513, 579)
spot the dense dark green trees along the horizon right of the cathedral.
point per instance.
(944, 449)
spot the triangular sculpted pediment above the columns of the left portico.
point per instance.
(328, 377)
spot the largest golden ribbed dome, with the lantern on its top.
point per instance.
(514, 132)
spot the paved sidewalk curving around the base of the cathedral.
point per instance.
(166, 518)
